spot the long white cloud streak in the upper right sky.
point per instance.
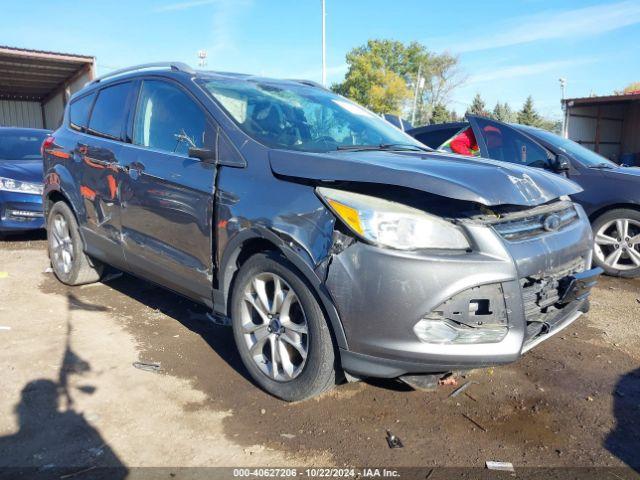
(550, 25)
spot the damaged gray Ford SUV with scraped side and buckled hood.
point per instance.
(333, 243)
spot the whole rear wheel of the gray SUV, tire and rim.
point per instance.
(66, 250)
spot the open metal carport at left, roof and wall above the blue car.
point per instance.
(35, 85)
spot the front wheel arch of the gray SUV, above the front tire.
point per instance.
(250, 242)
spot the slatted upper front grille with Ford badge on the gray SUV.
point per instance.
(535, 224)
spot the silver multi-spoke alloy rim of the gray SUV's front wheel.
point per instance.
(274, 327)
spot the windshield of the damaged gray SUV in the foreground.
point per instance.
(300, 117)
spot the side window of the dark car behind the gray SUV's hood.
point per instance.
(506, 144)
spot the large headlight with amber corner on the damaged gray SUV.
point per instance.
(392, 224)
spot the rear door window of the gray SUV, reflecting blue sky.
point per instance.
(110, 111)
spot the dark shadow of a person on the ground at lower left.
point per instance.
(53, 439)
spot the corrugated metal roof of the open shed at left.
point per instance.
(36, 74)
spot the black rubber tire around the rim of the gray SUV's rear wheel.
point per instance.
(83, 268)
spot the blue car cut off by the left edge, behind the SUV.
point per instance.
(21, 179)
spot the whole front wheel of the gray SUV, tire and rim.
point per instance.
(280, 330)
